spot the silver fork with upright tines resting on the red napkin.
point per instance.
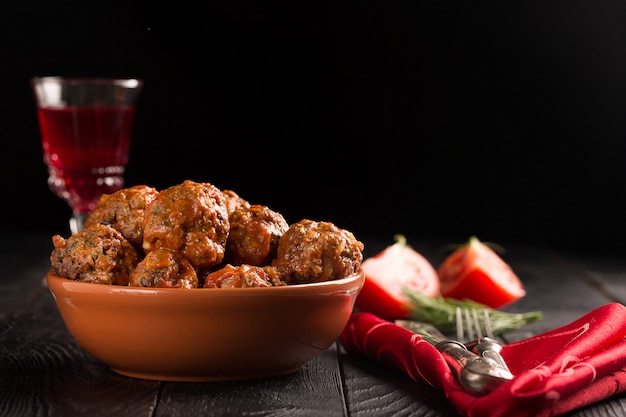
(472, 332)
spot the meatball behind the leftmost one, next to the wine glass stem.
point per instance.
(124, 210)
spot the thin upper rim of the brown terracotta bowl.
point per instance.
(72, 286)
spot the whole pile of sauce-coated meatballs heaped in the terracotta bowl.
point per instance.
(194, 235)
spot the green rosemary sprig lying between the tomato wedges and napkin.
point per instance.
(441, 313)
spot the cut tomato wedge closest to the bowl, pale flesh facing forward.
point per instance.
(388, 274)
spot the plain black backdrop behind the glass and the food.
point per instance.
(502, 119)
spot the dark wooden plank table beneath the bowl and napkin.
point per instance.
(43, 372)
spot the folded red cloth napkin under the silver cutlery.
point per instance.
(555, 372)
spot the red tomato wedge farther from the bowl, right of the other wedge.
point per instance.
(476, 272)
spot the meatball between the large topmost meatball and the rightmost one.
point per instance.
(254, 234)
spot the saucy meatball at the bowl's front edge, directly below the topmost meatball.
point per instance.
(164, 268)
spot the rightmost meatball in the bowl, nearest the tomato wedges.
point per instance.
(311, 251)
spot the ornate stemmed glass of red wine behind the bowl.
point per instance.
(86, 126)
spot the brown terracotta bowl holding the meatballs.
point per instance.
(202, 334)
